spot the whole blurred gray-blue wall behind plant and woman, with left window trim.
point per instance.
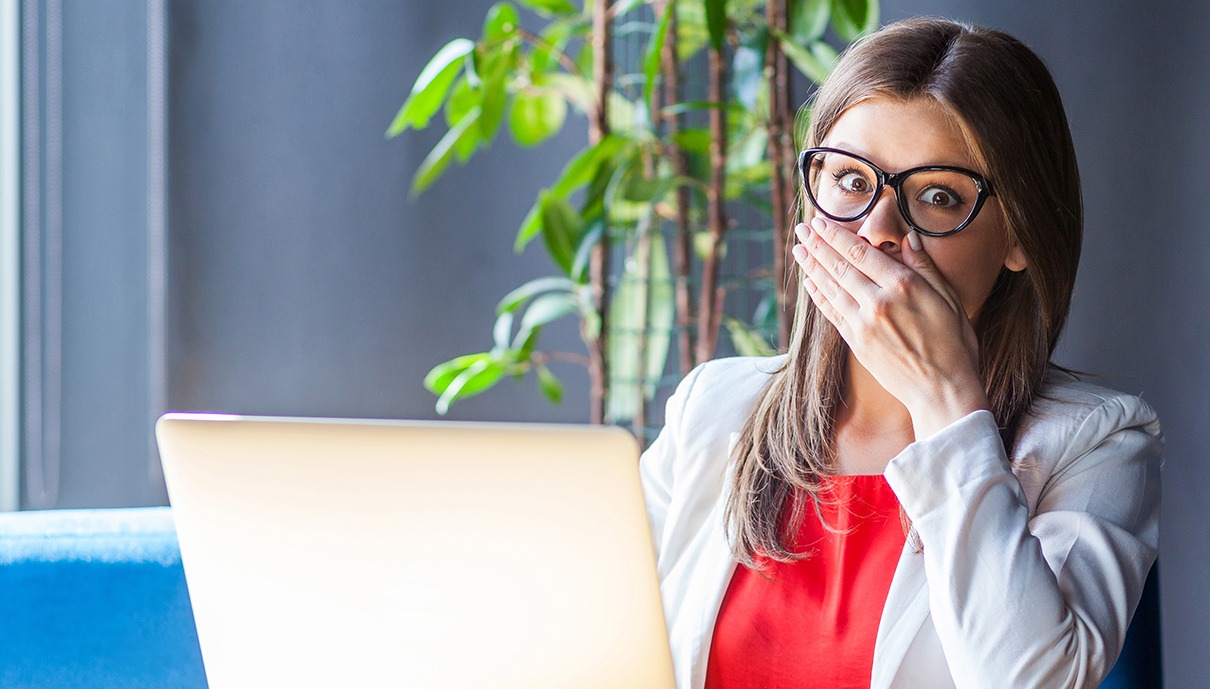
(200, 211)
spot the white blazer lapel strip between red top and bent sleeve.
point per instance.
(904, 613)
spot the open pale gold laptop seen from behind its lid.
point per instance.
(427, 555)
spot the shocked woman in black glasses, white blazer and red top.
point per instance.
(913, 497)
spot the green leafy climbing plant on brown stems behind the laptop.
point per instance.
(665, 166)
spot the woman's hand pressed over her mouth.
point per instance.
(902, 321)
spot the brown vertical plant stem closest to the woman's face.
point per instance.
(781, 156)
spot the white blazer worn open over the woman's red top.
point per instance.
(1030, 570)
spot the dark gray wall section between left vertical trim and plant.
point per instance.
(304, 279)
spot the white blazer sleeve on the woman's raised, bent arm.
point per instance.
(1039, 598)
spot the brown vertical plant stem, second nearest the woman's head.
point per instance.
(711, 300)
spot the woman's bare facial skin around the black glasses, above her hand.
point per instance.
(901, 135)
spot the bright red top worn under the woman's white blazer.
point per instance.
(814, 623)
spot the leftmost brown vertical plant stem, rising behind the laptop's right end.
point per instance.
(600, 268)
